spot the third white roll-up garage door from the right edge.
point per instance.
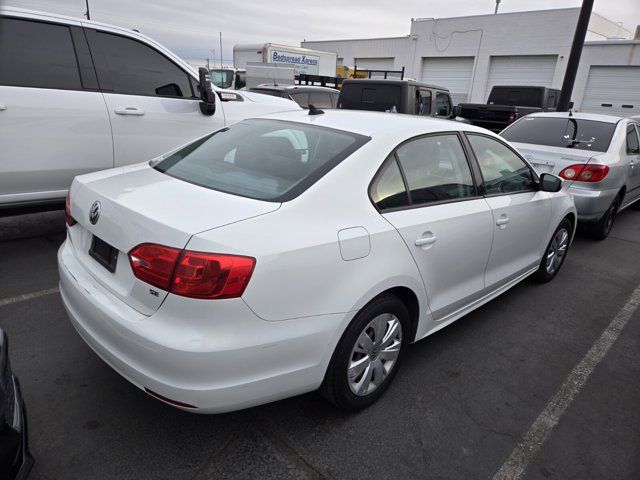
(453, 73)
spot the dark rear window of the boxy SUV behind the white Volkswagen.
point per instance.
(363, 96)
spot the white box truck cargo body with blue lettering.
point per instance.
(304, 60)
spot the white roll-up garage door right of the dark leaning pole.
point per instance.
(612, 90)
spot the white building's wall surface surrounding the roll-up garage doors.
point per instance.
(546, 32)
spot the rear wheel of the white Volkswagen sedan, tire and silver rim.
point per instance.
(368, 355)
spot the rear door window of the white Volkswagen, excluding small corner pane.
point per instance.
(436, 169)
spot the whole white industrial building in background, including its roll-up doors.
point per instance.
(469, 55)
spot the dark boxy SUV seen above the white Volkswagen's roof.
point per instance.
(396, 96)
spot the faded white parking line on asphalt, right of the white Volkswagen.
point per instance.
(516, 464)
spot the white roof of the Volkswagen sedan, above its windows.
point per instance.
(373, 124)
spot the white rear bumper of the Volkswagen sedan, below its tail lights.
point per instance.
(211, 356)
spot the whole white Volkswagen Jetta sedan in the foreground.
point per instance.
(301, 251)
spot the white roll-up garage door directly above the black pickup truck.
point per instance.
(536, 70)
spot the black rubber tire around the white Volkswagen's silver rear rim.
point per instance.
(336, 385)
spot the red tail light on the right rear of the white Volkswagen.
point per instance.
(192, 274)
